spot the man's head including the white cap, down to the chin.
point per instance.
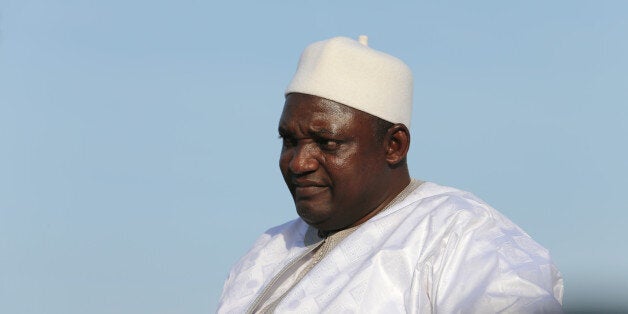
(345, 132)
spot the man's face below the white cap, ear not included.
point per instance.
(331, 161)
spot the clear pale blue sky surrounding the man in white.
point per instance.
(139, 151)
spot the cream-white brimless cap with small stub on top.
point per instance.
(349, 72)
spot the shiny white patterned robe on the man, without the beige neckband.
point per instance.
(440, 250)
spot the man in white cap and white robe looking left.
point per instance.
(369, 238)
